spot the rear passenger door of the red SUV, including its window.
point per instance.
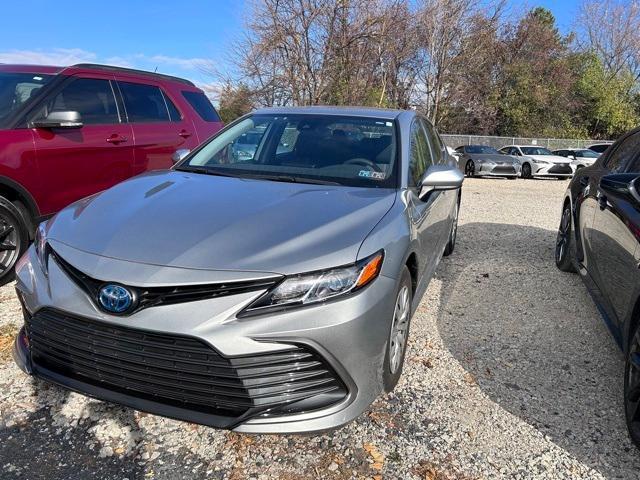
(159, 128)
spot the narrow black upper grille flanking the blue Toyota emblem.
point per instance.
(154, 296)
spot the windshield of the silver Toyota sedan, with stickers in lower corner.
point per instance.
(353, 151)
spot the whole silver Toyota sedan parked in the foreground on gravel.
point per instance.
(267, 288)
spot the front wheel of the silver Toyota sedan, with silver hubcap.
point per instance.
(394, 359)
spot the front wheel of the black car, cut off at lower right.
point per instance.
(632, 386)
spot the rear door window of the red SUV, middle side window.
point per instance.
(144, 103)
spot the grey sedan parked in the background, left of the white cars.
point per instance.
(481, 160)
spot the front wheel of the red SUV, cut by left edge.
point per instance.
(14, 239)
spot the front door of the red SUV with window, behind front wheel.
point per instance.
(74, 163)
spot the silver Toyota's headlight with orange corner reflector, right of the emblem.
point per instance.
(309, 288)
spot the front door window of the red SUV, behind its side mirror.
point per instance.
(92, 98)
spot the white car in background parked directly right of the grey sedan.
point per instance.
(538, 161)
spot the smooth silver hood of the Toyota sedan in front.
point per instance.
(198, 221)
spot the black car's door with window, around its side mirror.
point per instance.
(613, 239)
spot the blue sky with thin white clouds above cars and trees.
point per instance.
(176, 37)
